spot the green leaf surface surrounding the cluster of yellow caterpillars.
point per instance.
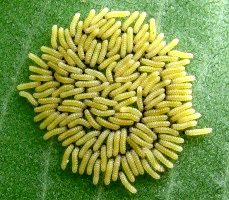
(30, 167)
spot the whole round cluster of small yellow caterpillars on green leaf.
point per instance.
(115, 94)
